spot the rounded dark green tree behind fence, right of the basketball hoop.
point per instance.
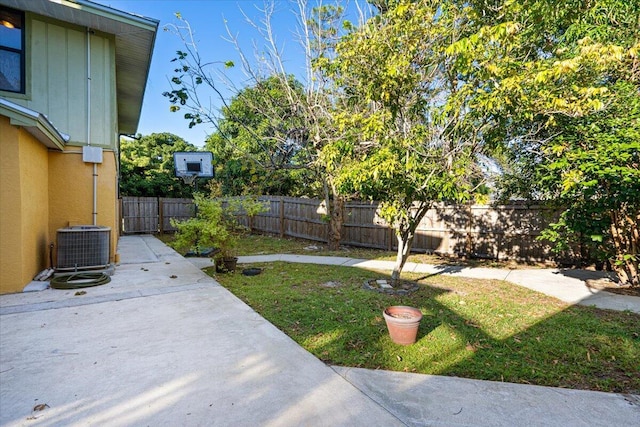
(260, 141)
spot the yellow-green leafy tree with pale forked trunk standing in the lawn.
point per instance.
(407, 142)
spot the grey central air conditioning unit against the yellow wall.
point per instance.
(83, 247)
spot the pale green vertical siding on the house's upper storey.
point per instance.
(58, 81)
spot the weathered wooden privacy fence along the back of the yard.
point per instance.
(500, 232)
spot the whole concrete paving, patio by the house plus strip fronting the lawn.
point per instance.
(164, 344)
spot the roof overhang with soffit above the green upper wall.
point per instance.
(134, 40)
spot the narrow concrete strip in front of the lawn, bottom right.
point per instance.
(428, 400)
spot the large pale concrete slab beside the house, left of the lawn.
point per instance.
(148, 349)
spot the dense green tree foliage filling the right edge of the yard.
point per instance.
(561, 87)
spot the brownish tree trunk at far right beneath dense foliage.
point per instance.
(625, 232)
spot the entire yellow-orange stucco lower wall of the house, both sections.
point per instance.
(41, 192)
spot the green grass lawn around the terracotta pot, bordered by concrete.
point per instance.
(481, 329)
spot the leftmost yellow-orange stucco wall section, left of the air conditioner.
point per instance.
(24, 207)
